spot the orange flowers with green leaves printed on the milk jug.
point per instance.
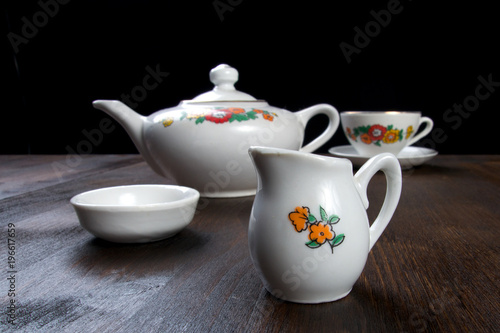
(320, 232)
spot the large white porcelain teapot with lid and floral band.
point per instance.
(203, 143)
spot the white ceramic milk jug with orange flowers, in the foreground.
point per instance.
(309, 234)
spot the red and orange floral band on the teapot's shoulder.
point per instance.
(223, 115)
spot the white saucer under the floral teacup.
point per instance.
(409, 157)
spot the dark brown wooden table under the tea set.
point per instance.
(435, 269)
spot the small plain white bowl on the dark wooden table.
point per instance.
(136, 213)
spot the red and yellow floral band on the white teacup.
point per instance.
(378, 134)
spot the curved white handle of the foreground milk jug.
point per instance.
(389, 165)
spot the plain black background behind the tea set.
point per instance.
(428, 58)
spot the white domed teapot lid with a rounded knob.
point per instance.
(223, 77)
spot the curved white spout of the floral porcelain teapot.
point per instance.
(133, 123)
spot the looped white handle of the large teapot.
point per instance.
(333, 115)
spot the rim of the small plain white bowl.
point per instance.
(191, 196)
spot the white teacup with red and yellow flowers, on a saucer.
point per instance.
(375, 132)
